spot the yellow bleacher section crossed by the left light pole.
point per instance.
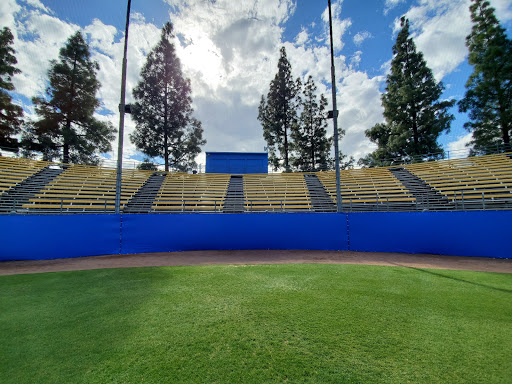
(87, 188)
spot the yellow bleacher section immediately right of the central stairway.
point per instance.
(276, 192)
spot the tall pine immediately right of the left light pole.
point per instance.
(163, 112)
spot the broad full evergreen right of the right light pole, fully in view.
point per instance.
(414, 115)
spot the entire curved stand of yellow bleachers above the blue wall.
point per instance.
(42, 187)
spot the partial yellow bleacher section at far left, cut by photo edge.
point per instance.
(13, 171)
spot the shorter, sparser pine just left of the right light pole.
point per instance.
(311, 145)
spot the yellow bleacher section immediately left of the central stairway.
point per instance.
(192, 193)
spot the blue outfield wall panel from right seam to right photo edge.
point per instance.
(469, 233)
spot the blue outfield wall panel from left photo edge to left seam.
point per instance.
(38, 237)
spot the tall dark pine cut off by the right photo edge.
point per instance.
(489, 88)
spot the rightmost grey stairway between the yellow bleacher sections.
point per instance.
(426, 197)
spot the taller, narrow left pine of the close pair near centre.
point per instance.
(278, 113)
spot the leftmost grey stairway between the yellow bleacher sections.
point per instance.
(11, 201)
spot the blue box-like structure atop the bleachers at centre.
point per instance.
(236, 162)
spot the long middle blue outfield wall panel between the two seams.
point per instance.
(186, 232)
